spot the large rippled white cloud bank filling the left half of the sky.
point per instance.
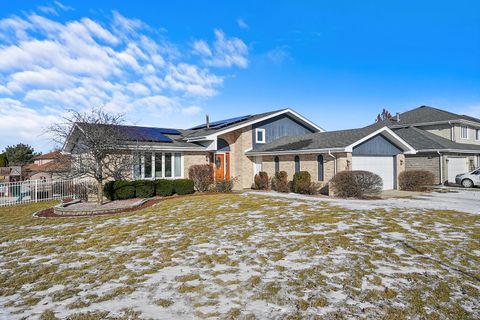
(48, 65)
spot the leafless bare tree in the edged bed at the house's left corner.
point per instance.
(99, 147)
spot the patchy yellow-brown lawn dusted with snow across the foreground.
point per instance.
(241, 256)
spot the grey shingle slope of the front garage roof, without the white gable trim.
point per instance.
(319, 140)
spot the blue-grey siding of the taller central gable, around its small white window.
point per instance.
(279, 127)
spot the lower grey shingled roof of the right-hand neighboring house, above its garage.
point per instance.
(424, 140)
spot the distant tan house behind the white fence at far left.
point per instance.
(48, 166)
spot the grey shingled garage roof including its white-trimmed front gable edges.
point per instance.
(341, 140)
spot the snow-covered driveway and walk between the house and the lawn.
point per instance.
(463, 201)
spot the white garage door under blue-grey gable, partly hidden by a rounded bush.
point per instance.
(383, 166)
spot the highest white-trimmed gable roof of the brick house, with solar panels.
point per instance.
(200, 132)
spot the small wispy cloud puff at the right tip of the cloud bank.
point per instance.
(224, 52)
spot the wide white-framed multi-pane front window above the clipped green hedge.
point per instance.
(157, 165)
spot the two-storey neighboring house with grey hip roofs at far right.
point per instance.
(447, 144)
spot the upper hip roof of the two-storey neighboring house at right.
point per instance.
(426, 114)
